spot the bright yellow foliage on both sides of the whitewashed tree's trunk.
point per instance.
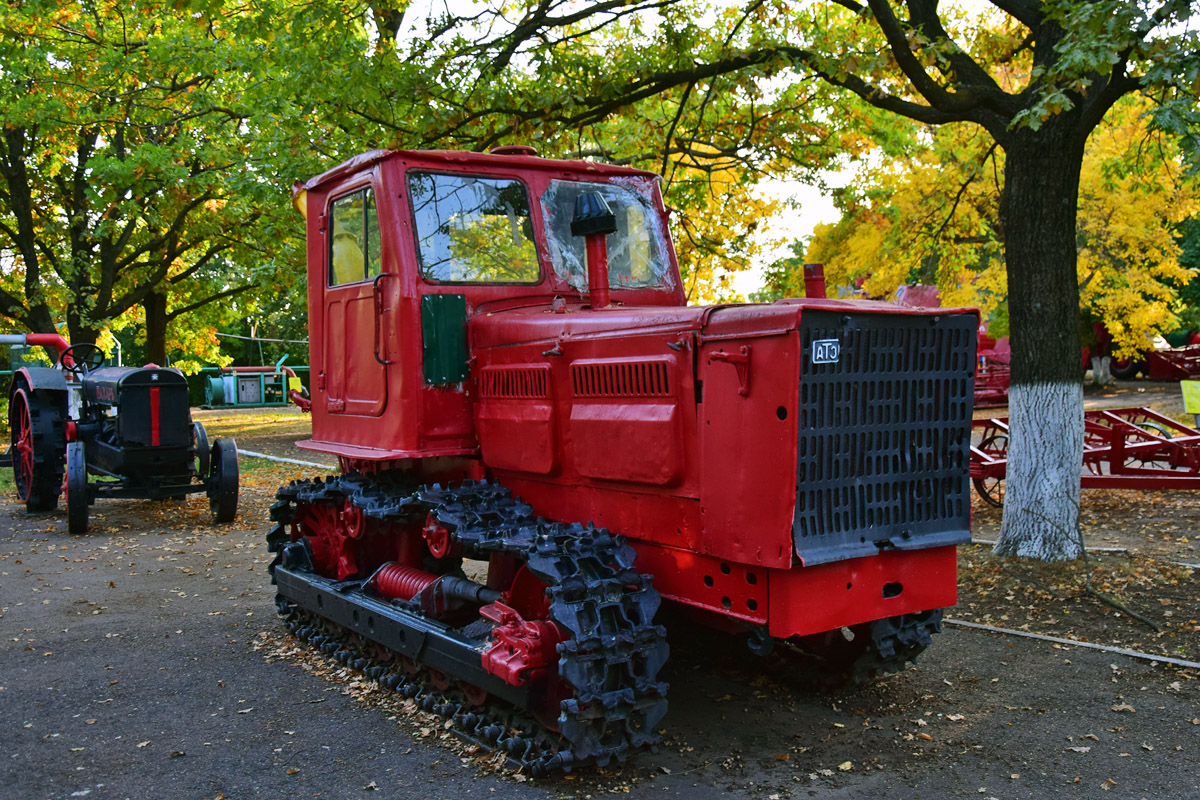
(933, 218)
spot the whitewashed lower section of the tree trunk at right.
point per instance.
(1046, 448)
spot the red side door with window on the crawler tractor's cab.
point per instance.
(355, 314)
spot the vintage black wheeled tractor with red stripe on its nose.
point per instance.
(130, 428)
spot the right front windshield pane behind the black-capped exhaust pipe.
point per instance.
(637, 252)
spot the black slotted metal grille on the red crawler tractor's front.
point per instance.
(885, 424)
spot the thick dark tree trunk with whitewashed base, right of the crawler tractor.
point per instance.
(1046, 400)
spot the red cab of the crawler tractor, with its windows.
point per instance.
(404, 248)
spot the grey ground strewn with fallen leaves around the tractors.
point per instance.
(137, 663)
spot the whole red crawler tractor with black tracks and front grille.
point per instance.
(539, 442)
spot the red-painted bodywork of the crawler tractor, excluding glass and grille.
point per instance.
(675, 426)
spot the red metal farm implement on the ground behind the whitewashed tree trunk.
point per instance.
(1124, 449)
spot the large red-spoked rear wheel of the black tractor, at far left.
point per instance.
(37, 453)
